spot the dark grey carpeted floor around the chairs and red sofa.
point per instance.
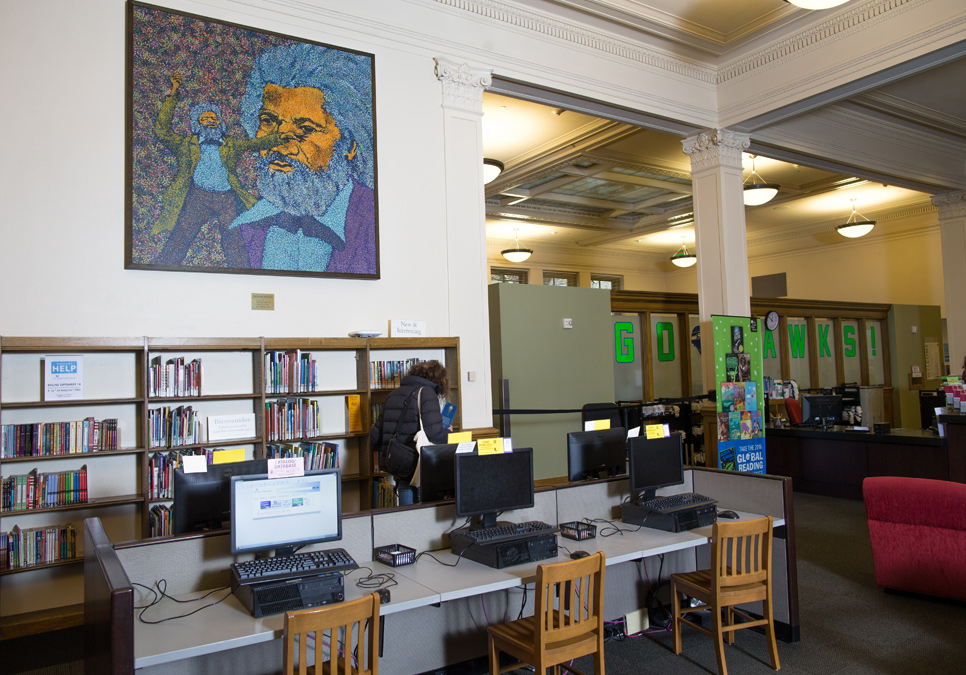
(848, 624)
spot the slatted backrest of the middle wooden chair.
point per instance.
(569, 600)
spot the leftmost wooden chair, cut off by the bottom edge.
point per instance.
(346, 638)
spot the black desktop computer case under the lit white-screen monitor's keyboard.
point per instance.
(263, 598)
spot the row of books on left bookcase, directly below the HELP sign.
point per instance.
(58, 438)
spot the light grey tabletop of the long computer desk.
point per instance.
(228, 625)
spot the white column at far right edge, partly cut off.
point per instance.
(952, 229)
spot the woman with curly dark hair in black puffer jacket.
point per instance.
(426, 382)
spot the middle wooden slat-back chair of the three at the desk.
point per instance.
(568, 620)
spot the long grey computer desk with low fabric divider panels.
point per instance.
(438, 610)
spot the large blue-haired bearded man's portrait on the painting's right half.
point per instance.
(317, 207)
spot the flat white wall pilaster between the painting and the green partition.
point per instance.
(466, 234)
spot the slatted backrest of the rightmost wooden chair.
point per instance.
(741, 552)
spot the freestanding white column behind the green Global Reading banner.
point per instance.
(719, 225)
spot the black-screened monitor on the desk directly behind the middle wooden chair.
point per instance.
(489, 484)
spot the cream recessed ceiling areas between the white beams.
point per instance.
(597, 185)
